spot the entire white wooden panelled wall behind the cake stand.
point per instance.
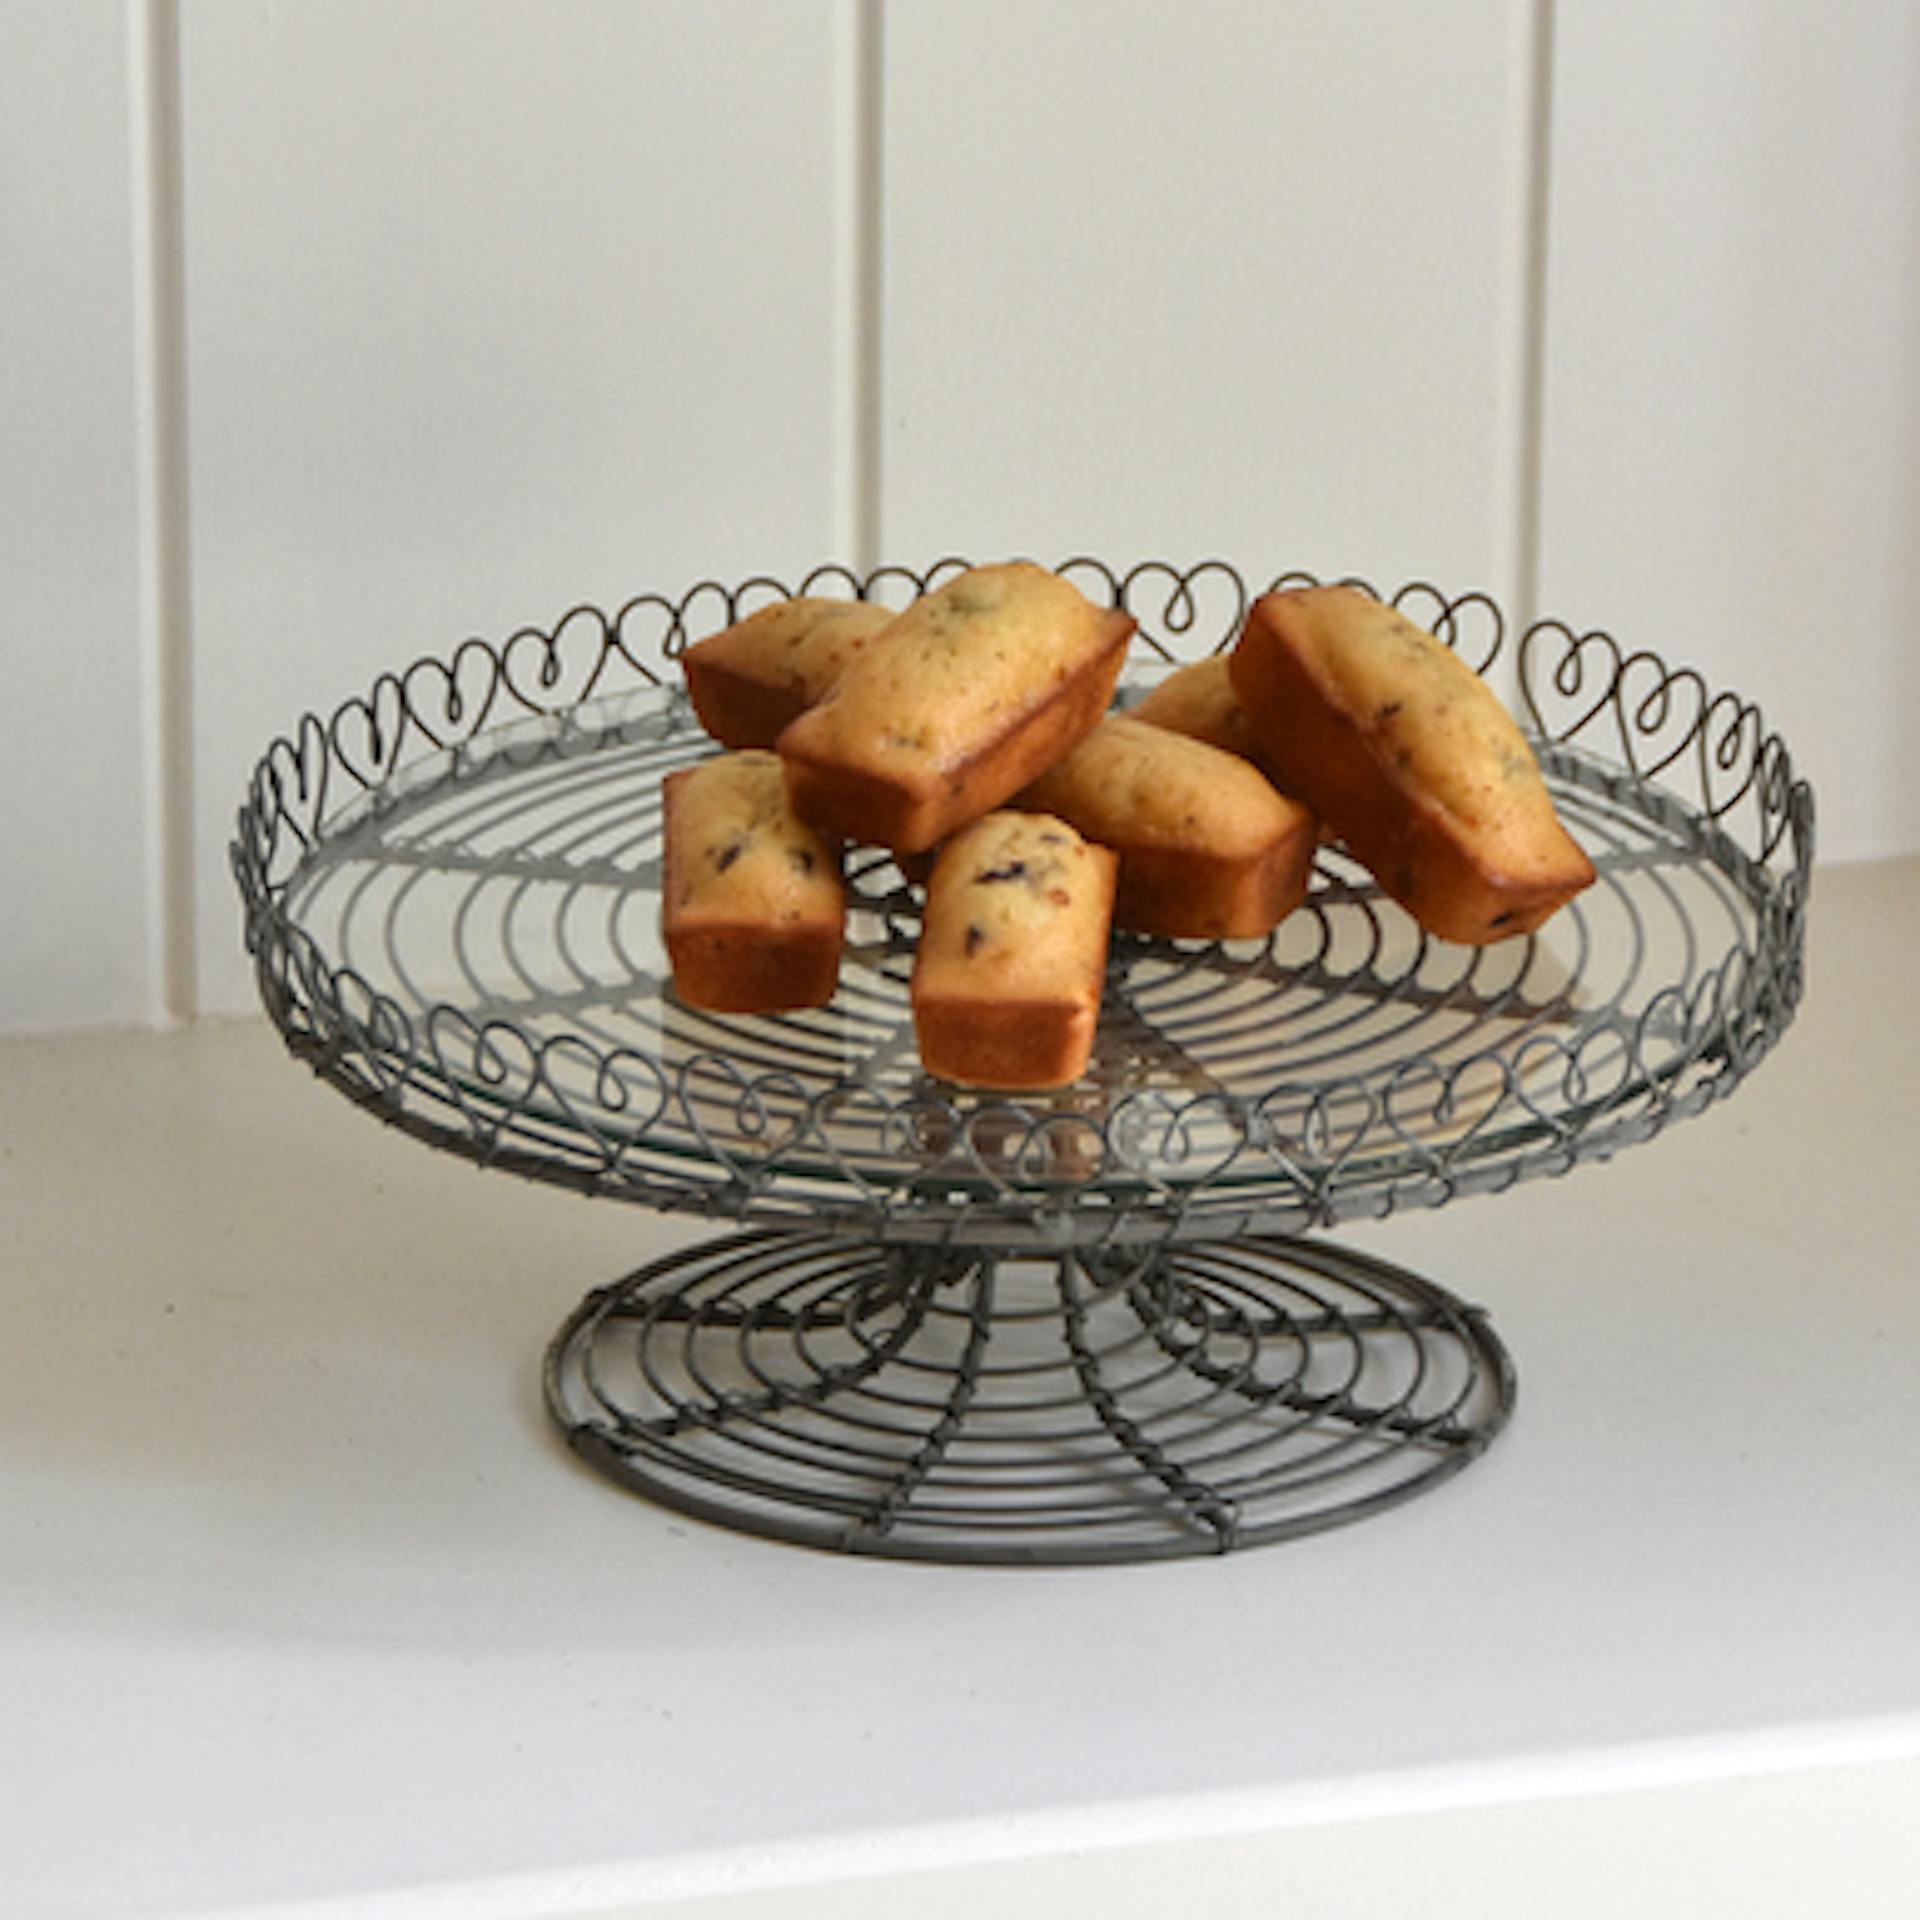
(492, 306)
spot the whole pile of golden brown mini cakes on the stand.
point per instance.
(972, 736)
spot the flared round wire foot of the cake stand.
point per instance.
(972, 1406)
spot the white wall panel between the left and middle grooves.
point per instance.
(494, 310)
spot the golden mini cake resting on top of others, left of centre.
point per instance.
(957, 706)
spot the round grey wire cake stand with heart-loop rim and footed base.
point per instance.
(1103, 1324)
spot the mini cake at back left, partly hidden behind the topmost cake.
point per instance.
(752, 679)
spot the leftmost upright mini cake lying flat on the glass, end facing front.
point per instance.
(752, 901)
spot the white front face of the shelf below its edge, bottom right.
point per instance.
(1698, 1850)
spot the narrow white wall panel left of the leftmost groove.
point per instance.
(72, 748)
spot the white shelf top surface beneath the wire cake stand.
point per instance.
(306, 1610)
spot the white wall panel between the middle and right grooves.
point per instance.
(1184, 281)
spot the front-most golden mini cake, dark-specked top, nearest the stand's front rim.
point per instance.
(1013, 953)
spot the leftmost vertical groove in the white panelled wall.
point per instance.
(160, 429)
